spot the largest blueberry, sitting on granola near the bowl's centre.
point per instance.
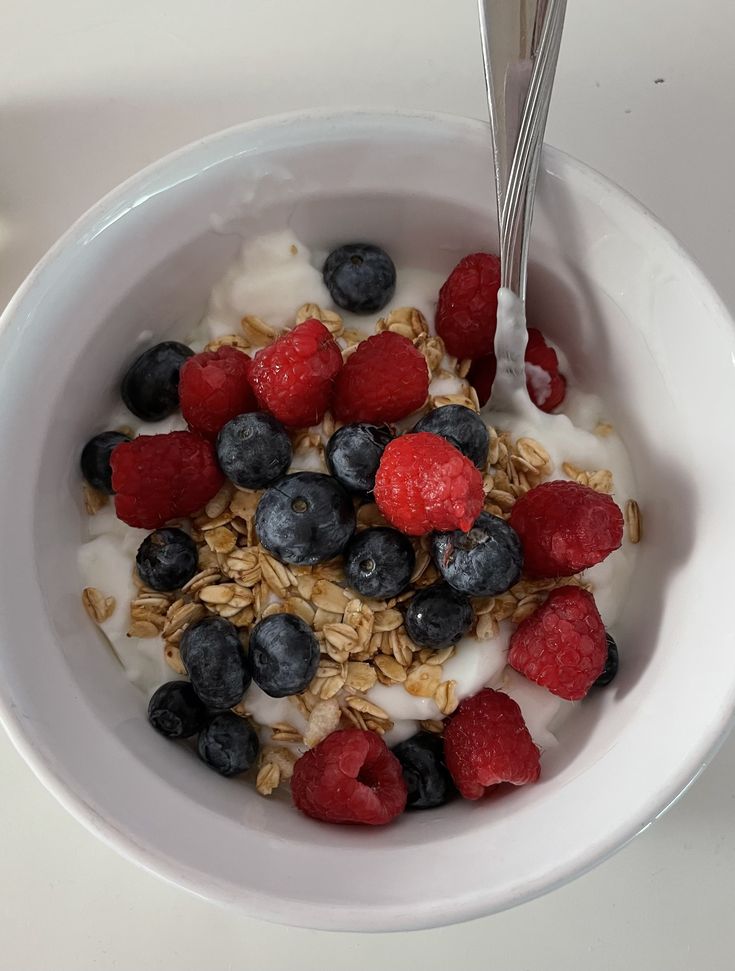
(305, 517)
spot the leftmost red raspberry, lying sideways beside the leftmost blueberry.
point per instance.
(160, 477)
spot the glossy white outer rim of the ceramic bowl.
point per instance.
(384, 916)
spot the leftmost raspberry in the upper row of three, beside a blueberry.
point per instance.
(214, 388)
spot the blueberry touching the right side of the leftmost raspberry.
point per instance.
(254, 450)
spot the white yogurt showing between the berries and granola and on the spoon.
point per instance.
(272, 277)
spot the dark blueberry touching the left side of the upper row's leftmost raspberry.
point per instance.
(150, 388)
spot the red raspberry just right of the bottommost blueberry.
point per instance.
(486, 742)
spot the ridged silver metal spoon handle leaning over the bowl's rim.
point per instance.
(520, 46)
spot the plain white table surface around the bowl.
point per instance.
(92, 90)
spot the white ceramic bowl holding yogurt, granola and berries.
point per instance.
(641, 326)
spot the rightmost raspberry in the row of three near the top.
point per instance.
(384, 380)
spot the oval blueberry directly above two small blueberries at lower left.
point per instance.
(215, 662)
